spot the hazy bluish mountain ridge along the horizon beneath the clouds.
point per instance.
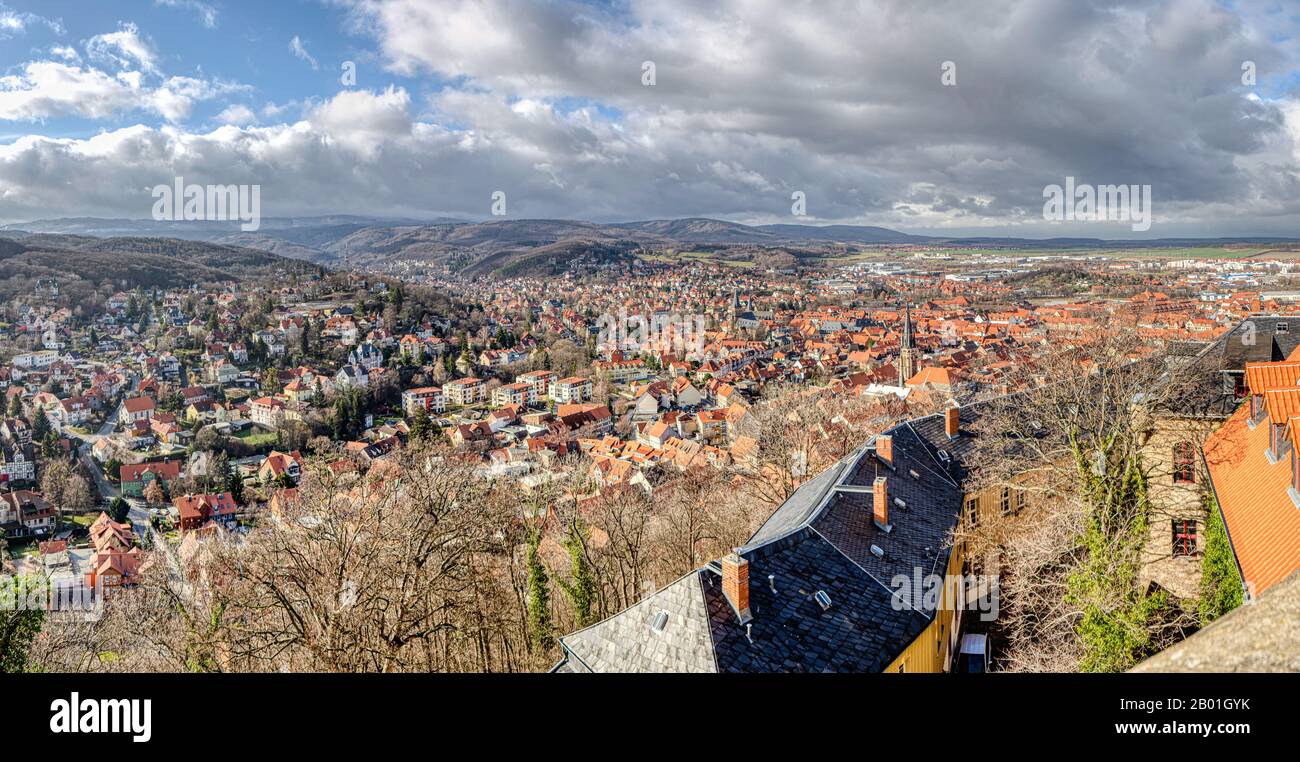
(501, 246)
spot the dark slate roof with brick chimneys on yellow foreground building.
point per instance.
(820, 540)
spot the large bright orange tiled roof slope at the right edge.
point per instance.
(1263, 522)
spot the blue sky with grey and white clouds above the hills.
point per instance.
(752, 102)
